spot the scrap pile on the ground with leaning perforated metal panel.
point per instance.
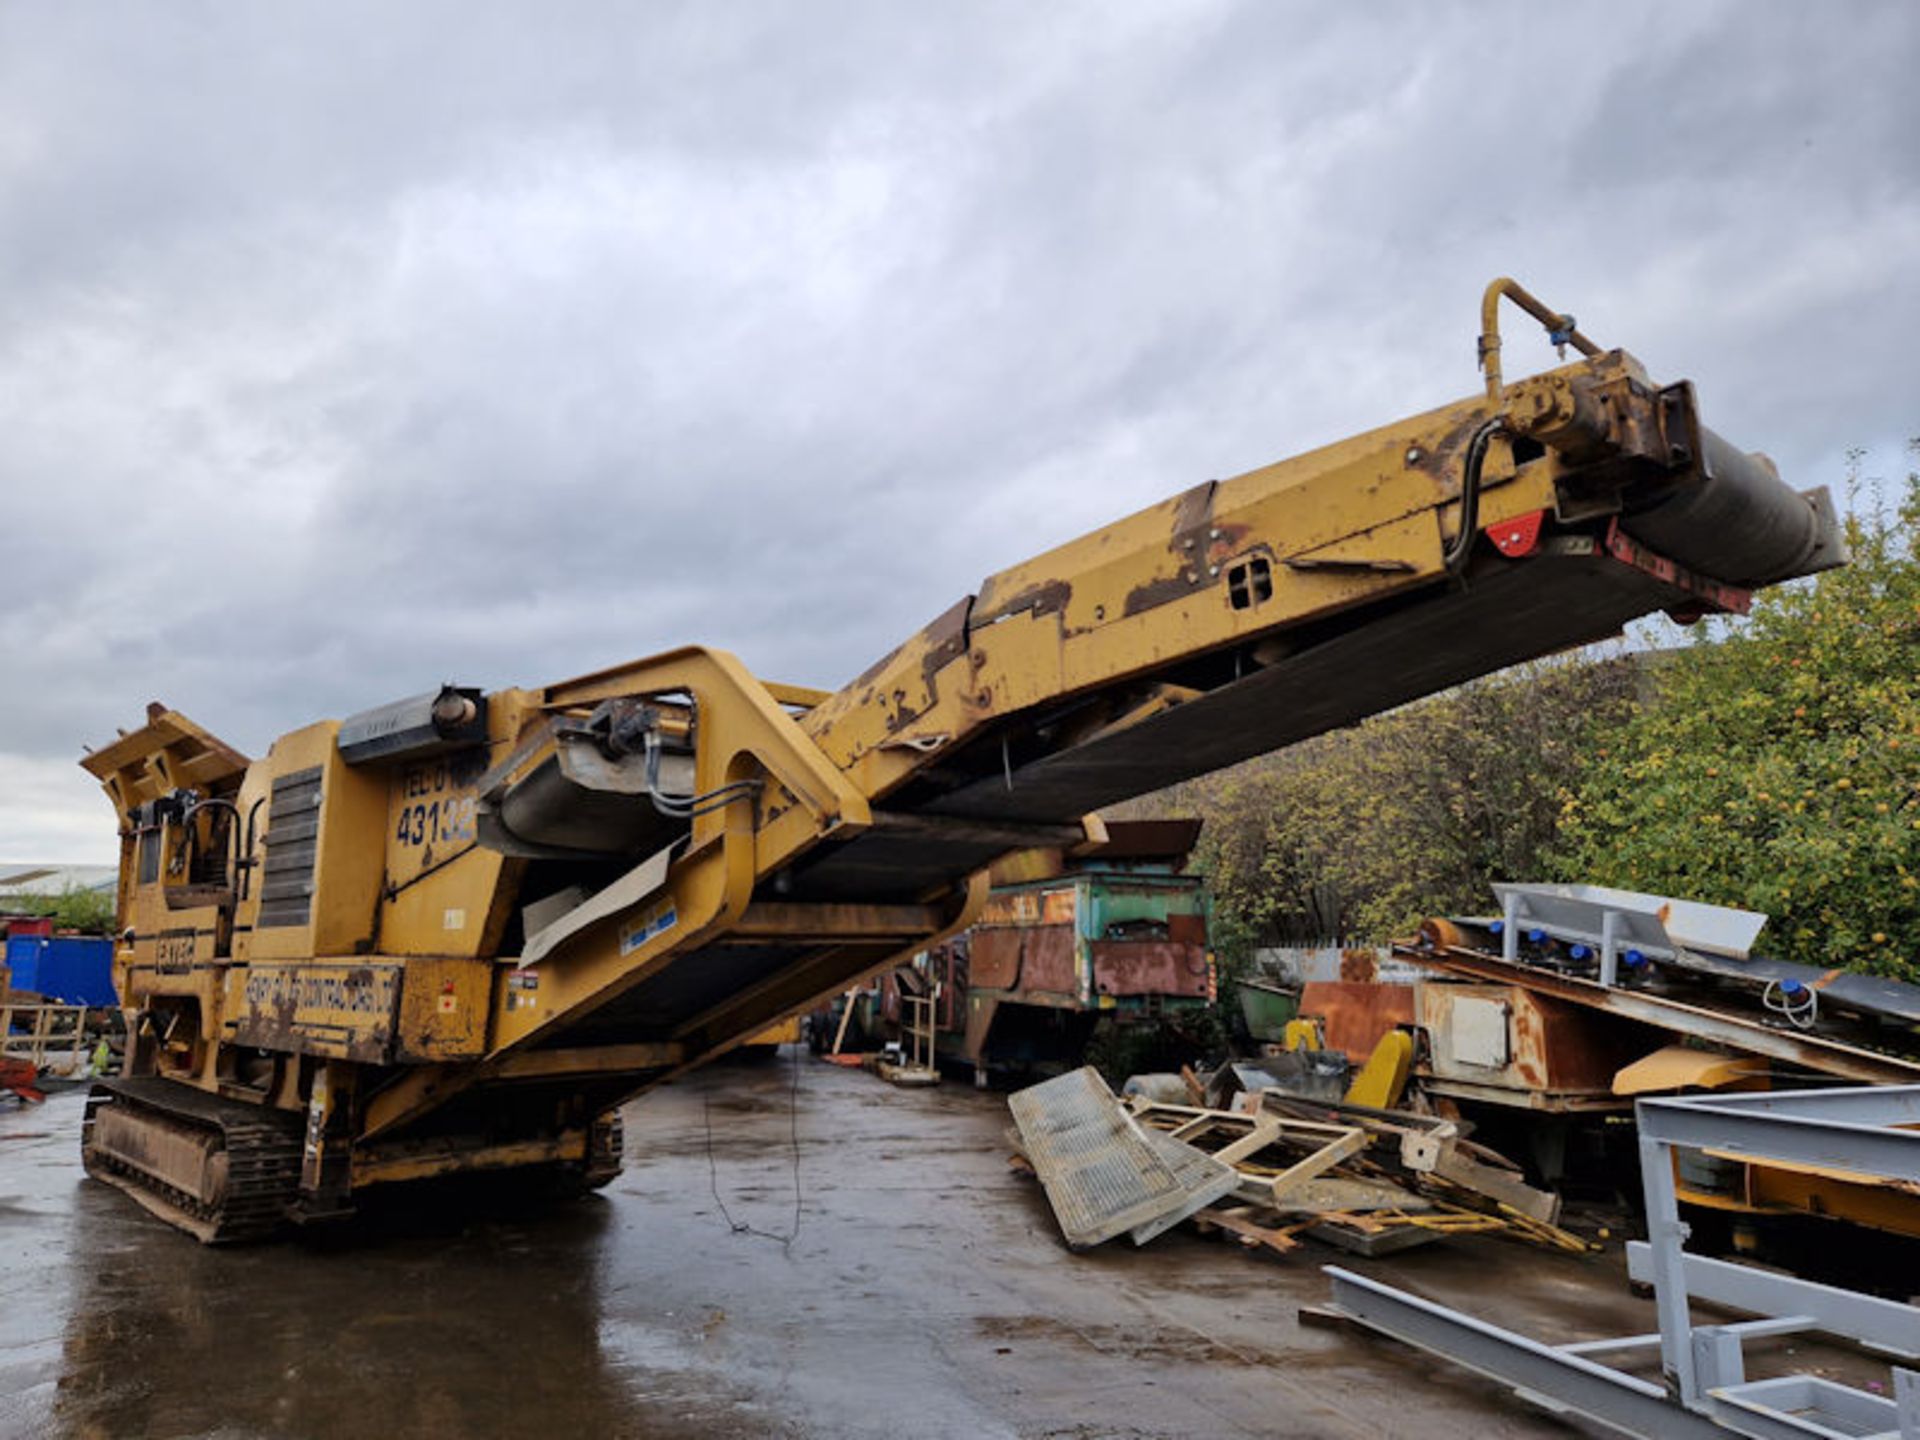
(1270, 1172)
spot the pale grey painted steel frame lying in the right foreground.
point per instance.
(1704, 1366)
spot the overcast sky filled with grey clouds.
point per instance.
(350, 348)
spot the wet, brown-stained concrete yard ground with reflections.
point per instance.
(926, 1295)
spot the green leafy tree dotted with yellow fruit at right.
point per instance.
(1779, 765)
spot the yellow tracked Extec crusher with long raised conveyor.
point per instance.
(454, 934)
